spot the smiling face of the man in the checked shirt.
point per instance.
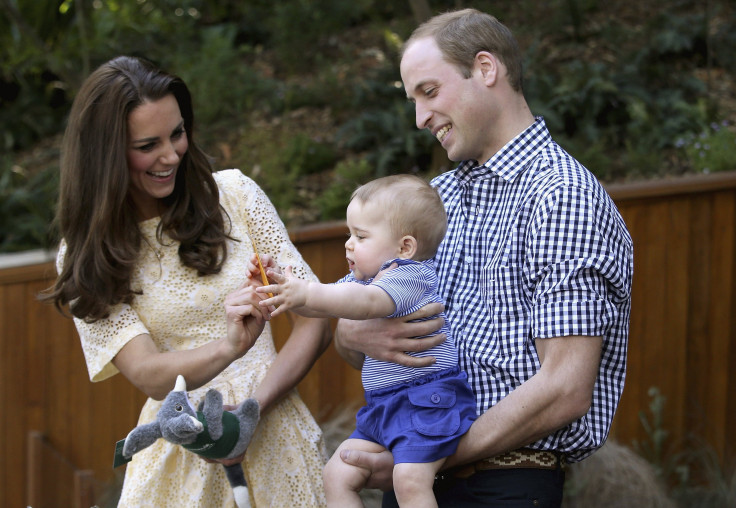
(448, 104)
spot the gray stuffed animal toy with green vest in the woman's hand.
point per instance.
(211, 432)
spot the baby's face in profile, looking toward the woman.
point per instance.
(371, 241)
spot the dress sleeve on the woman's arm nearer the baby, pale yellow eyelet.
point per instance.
(246, 202)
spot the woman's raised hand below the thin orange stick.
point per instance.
(245, 318)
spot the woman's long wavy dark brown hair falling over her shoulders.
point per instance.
(97, 221)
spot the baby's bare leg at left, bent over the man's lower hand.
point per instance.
(342, 481)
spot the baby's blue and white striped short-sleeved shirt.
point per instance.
(411, 285)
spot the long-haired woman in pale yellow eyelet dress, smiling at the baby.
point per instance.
(146, 273)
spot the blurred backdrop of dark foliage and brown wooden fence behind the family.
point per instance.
(305, 97)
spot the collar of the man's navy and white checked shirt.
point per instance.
(510, 160)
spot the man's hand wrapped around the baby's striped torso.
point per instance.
(390, 339)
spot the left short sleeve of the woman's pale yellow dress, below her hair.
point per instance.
(103, 339)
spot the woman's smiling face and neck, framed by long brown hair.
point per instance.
(157, 142)
